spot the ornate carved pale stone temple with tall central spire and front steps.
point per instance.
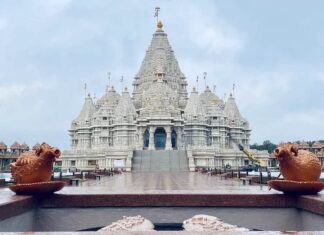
(158, 125)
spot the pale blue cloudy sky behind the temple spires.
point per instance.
(272, 50)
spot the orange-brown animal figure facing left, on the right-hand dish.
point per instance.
(297, 164)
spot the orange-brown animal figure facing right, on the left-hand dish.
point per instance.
(35, 165)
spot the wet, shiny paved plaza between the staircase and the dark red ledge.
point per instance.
(165, 182)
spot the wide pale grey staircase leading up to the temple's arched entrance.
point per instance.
(160, 161)
